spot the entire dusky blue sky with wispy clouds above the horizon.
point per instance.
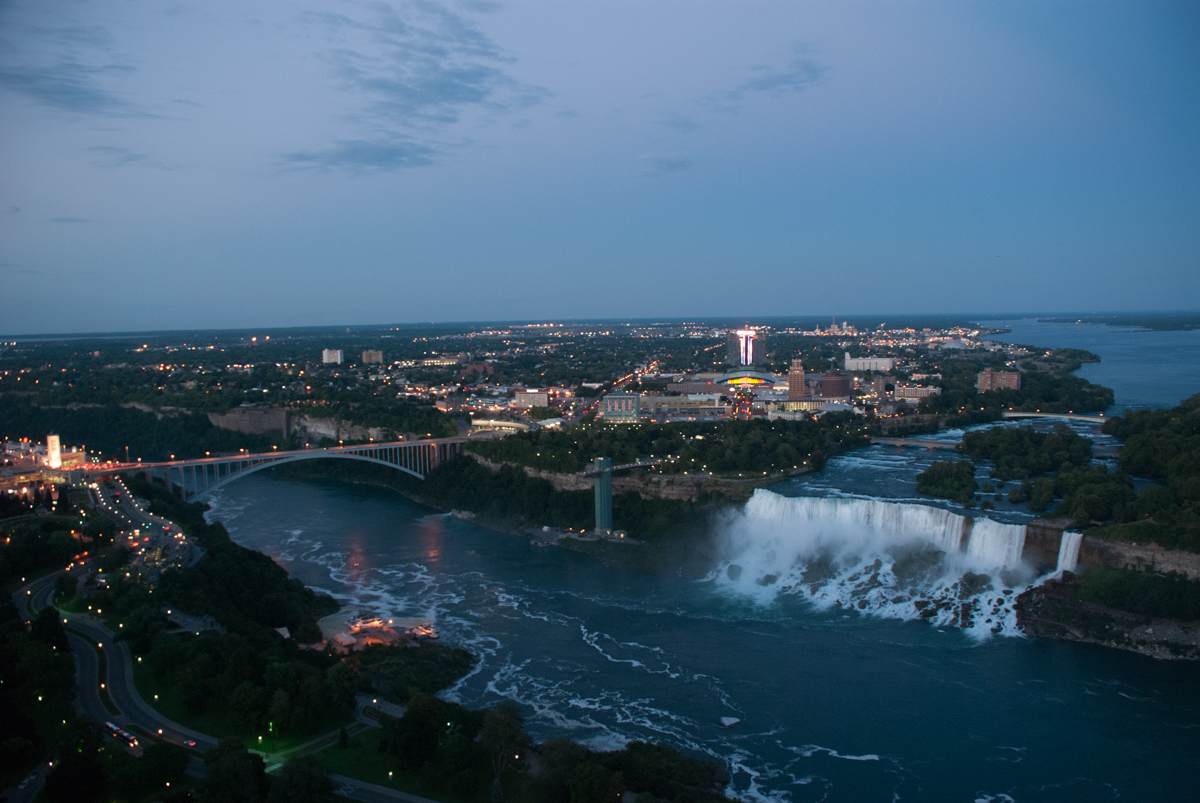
(212, 165)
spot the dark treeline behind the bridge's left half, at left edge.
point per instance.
(111, 429)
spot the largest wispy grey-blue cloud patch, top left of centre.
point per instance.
(417, 69)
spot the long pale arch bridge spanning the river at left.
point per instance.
(199, 478)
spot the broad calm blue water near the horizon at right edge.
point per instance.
(1145, 369)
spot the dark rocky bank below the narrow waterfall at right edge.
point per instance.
(1054, 610)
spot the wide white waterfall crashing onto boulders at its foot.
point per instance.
(884, 559)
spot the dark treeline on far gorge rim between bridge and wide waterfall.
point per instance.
(728, 448)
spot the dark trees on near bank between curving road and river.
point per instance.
(245, 678)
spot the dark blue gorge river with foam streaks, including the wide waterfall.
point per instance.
(843, 692)
